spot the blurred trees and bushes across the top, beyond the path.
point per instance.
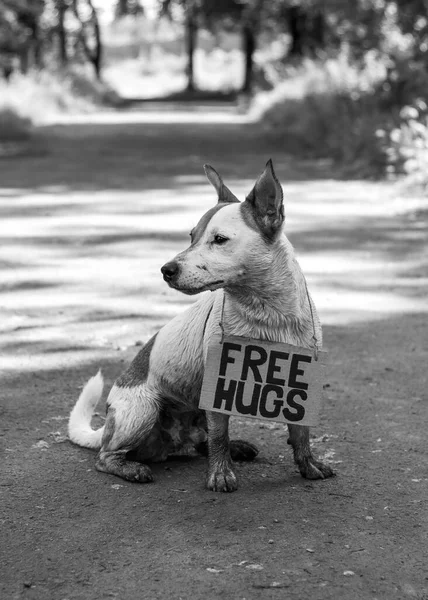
(342, 80)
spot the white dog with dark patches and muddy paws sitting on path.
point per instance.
(240, 253)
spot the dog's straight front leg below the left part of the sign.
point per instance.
(221, 477)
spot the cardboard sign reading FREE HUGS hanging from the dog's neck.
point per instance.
(263, 380)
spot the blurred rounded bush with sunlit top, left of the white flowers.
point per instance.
(329, 109)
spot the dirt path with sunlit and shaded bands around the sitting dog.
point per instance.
(85, 225)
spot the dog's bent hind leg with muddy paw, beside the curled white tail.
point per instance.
(132, 414)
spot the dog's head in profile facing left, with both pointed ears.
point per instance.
(233, 242)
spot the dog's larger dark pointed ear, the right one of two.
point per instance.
(266, 202)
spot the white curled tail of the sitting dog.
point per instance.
(80, 431)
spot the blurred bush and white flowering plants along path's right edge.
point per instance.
(346, 112)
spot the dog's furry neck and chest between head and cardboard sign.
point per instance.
(274, 305)
